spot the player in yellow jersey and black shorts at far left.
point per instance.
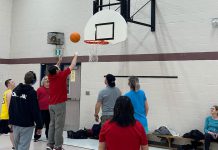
(4, 116)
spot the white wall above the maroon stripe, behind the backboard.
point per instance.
(181, 26)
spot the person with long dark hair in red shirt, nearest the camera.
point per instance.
(123, 132)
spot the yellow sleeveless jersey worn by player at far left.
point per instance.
(4, 111)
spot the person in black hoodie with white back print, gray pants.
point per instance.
(24, 112)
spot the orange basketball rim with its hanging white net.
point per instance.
(93, 53)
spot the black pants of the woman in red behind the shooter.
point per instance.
(45, 121)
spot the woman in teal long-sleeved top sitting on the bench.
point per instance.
(211, 127)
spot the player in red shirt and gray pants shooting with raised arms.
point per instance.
(57, 105)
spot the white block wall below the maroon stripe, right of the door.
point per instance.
(182, 103)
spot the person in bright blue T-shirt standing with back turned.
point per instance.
(139, 101)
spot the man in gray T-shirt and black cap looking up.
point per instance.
(106, 99)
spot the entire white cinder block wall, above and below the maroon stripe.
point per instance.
(182, 26)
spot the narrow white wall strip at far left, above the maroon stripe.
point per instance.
(5, 28)
